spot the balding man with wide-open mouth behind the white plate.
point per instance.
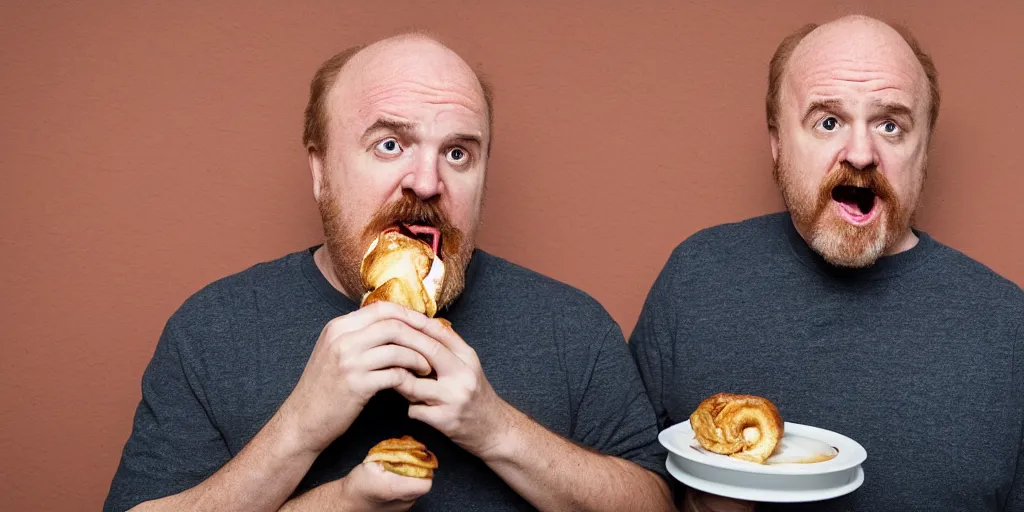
(839, 311)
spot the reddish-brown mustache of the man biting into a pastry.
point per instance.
(410, 209)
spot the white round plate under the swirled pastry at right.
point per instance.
(766, 483)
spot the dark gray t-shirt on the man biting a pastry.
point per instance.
(234, 352)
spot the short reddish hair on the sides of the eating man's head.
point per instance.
(317, 120)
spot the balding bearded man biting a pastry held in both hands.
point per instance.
(269, 388)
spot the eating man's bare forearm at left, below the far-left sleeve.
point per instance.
(260, 479)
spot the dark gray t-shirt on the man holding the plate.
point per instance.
(920, 359)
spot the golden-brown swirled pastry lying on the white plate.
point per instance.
(741, 426)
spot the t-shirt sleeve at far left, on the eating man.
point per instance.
(174, 446)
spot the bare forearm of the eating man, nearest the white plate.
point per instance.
(556, 475)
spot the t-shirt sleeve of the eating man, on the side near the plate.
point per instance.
(614, 415)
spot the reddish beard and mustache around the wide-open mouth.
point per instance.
(836, 240)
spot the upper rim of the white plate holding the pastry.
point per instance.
(857, 459)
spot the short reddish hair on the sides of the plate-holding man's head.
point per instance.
(778, 68)
